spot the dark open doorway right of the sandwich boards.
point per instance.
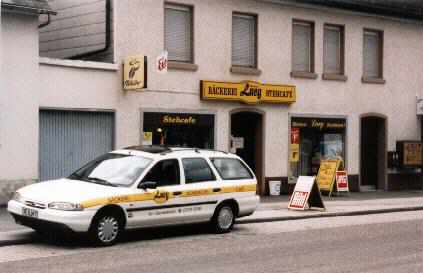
(373, 153)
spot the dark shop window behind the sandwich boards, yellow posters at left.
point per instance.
(312, 140)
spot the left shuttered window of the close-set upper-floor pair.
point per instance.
(302, 46)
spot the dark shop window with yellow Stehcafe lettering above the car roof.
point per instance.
(178, 129)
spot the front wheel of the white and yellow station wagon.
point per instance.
(106, 229)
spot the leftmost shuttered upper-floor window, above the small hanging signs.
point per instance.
(179, 33)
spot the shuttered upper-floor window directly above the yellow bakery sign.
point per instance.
(244, 40)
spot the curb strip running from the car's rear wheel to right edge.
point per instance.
(326, 214)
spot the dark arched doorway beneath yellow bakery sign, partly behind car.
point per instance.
(249, 127)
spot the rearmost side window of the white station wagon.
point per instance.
(231, 168)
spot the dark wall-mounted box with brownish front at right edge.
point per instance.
(410, 153)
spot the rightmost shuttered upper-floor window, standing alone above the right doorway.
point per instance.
(372, 54)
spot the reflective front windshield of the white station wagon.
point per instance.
(113, 170)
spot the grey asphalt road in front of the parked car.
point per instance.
(375, 243)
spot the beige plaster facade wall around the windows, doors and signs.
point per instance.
(139, 30)
